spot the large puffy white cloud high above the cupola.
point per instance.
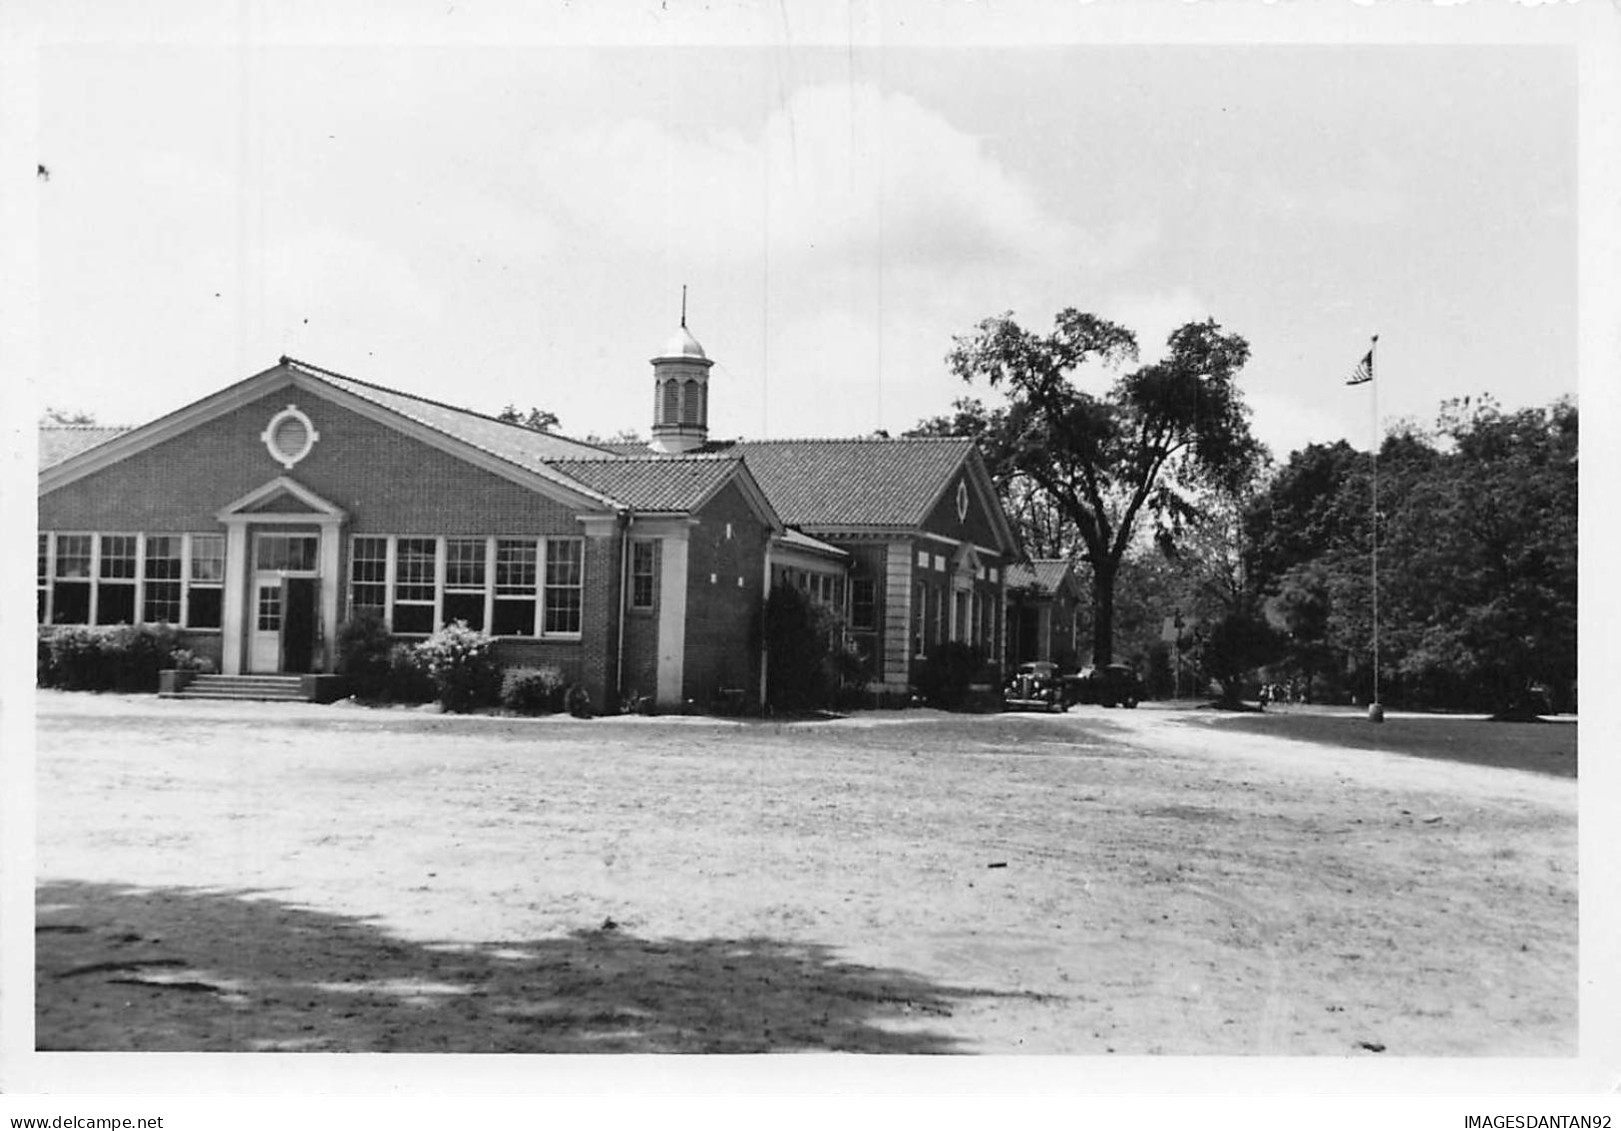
(837, 174)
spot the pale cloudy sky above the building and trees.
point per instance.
(489, 224)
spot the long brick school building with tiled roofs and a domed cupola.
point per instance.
(262, 518)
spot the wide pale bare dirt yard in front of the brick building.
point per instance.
(288, 877)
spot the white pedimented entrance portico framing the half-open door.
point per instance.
(283, 581)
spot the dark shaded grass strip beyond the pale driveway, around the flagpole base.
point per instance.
(1541, 748)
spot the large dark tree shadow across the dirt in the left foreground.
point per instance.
(236, 971)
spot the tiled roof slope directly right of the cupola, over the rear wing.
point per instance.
(852, 482)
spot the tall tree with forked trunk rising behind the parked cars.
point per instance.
(1142, 448)
